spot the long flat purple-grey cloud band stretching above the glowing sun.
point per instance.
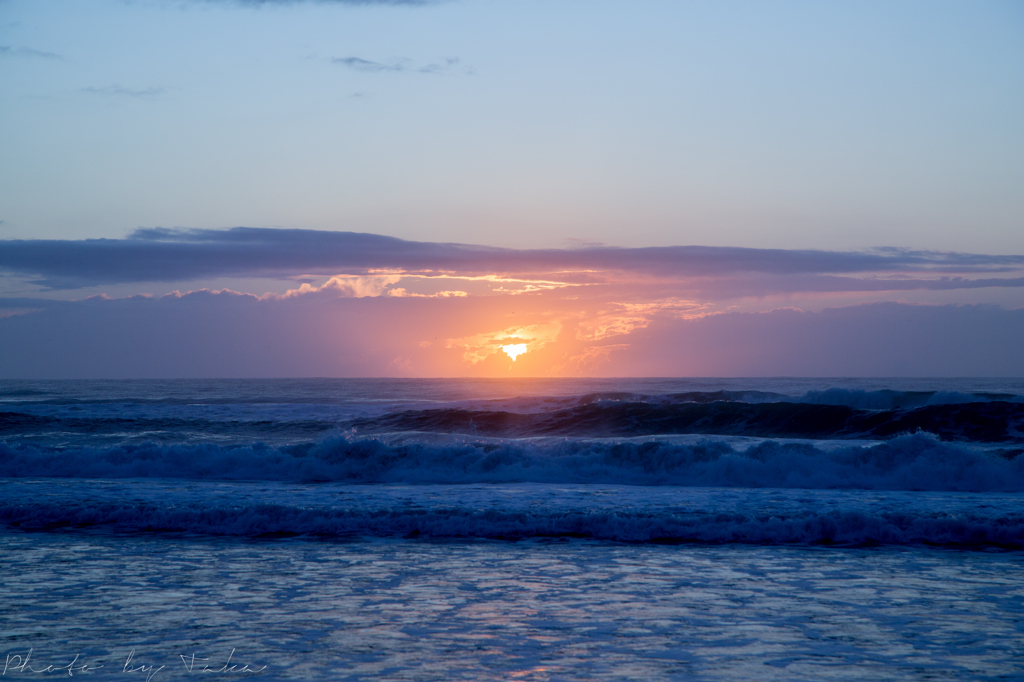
(183, 255)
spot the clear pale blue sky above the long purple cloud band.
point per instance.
(520, 124)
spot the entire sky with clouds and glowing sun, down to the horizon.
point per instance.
(233, 188)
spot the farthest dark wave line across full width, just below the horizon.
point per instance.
(834, 414)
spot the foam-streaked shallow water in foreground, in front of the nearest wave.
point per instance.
(531, 611)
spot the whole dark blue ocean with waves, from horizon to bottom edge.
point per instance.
(514, 530)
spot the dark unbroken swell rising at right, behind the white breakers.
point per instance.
(980, 422)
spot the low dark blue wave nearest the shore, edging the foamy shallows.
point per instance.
(829, 528)
